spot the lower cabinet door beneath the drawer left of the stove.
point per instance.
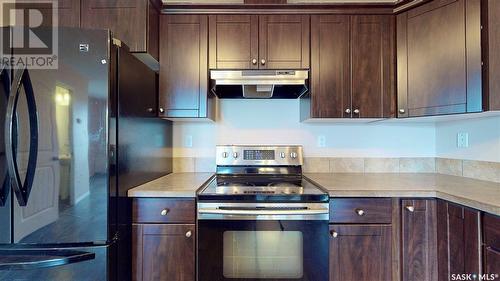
(162, 252)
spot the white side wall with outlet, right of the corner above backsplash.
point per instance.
(484, 139)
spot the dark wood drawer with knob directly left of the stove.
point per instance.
(161, 210)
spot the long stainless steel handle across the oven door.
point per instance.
(257, 212)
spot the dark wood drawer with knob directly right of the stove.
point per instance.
(361, 210)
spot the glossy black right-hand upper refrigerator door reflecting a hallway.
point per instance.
(68, 202)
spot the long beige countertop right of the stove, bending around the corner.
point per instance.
(481, 195)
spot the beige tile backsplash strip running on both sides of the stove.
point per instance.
(482, 170)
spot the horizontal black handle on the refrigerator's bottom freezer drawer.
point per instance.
(23, 259)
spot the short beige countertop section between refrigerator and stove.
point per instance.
(171, 185)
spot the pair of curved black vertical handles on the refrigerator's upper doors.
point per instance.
(22, 190)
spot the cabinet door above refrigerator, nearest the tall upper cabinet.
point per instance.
(125, 18)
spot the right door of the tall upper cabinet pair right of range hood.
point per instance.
(372, 58)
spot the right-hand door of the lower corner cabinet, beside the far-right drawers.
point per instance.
(458, 240)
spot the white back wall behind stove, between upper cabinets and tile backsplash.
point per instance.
(277, 122)
